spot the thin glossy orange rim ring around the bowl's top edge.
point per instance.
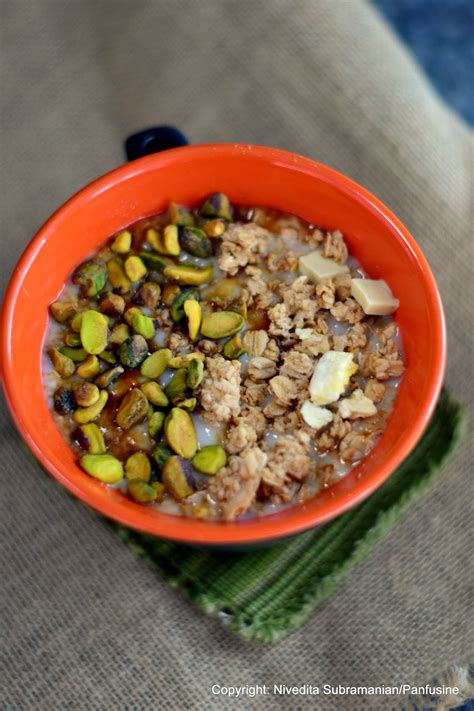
(180, 528)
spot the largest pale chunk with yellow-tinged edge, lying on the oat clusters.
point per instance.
(331, 377)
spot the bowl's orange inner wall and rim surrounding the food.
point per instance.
(250, 175)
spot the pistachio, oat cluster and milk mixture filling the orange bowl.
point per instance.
(222, 361)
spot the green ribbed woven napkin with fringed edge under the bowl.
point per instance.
(264, 594)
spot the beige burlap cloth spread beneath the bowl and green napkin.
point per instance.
(87, 624)
